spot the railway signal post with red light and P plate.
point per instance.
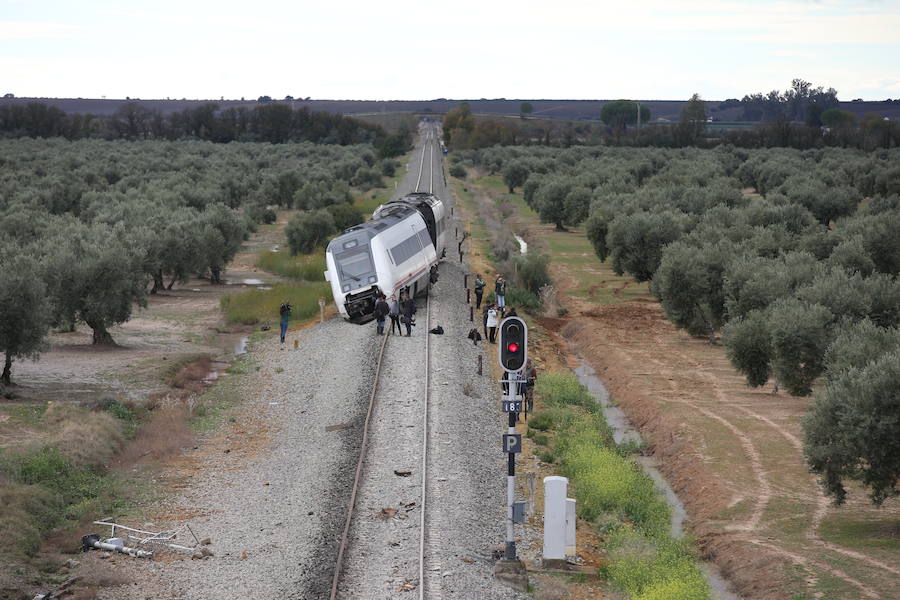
(513, 353)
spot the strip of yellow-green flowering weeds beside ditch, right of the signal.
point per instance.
(615, 496)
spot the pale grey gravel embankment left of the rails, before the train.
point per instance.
(272, 518)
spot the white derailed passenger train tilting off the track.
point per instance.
(397, 251)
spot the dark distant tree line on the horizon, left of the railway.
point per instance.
(267, 122)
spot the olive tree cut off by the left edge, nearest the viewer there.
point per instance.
(25, 313)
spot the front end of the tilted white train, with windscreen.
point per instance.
(351, 259)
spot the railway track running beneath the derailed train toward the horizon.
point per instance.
(380, 399)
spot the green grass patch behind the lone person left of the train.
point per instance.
(261, 306)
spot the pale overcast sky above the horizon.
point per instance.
(644, 49)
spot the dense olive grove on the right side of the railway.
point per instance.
(792, 256)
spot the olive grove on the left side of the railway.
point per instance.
(89, 228)
